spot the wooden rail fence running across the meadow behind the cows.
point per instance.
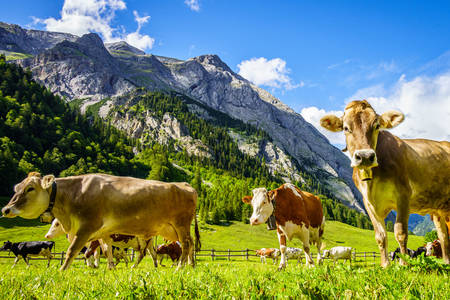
(245, 254)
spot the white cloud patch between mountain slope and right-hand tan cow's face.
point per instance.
(313, 115)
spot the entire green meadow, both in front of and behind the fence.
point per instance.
(223, 279)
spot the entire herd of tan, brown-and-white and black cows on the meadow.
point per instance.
(406, 175)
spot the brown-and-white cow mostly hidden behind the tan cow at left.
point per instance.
(118, 240)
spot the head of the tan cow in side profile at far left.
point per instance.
(31, 197)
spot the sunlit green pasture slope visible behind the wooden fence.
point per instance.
(239, 236)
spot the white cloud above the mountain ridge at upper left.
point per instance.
(83, 16)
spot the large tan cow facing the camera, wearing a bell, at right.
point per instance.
(406, 175)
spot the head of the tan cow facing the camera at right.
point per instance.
(361, 126)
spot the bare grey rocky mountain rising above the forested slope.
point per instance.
(104, 76)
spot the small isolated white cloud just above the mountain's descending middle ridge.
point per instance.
(272, 73)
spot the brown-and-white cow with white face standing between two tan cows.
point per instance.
(297, 214)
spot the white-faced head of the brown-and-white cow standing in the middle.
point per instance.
(261, 202)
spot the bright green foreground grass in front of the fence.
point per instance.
(219, 280)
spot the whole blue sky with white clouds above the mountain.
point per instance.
(315, 56)
